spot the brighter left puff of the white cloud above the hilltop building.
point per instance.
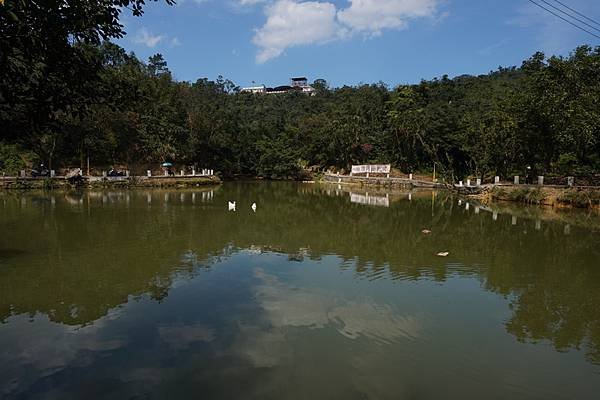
(290, 23)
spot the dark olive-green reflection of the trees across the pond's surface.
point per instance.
(144, 247)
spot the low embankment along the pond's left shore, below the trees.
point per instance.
(108, 182)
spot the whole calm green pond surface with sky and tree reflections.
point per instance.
(322, 293)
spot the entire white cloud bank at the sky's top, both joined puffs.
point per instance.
(293, 23)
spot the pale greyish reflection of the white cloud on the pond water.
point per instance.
(285, 306)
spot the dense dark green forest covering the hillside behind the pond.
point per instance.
(68, 93)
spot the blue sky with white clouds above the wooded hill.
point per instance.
(348, 41)
